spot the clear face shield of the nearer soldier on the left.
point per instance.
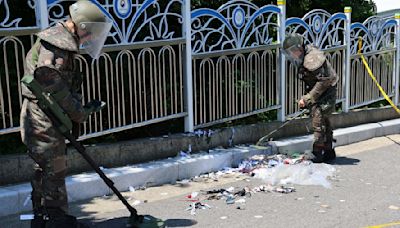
(92, 36)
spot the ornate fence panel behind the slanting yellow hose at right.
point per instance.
(378, 37)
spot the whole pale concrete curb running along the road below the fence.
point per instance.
(14, 199)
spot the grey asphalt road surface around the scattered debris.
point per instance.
(365, 192)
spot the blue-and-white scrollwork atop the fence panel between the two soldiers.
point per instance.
(235, 25)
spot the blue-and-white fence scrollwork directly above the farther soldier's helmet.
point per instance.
(319, 28)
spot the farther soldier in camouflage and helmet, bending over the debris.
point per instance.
(320, 80)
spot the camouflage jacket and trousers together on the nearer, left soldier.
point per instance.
(54, 54)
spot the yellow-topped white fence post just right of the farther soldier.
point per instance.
(346, 104)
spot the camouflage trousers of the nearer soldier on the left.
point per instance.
(46, 146)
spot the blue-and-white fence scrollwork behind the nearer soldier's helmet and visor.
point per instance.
(149, 20)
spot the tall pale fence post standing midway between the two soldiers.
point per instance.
(187, 68)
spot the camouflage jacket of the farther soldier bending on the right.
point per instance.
(319, 77)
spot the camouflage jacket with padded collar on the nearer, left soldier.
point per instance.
(51, 61)
